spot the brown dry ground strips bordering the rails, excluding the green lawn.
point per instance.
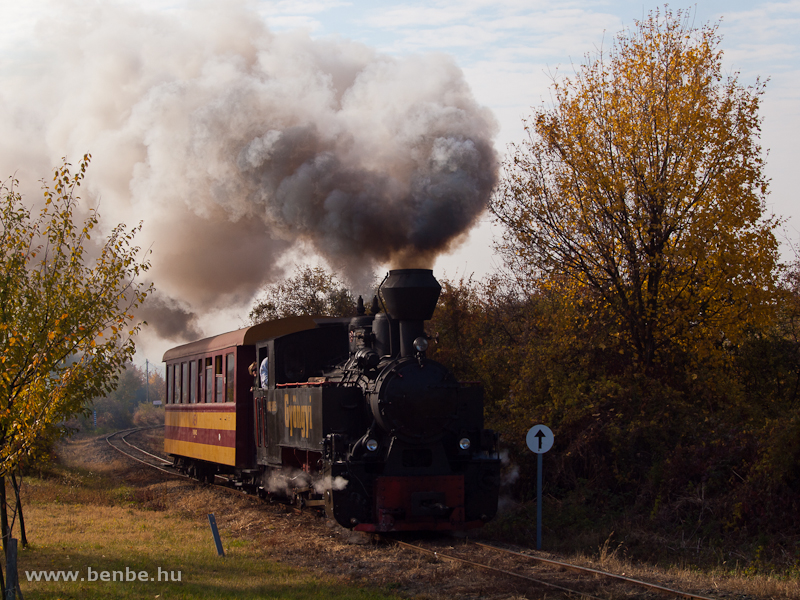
(309, 541)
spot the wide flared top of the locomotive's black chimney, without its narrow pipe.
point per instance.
(411, 294)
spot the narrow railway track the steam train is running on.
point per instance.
(535, 573)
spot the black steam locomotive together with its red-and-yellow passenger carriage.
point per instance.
(348, 415)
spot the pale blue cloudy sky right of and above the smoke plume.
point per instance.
(511, 50)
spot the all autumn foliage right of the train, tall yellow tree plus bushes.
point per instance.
(643, 314)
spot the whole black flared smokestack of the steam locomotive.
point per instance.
(410, 296)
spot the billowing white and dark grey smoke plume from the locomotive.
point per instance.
(235, 144)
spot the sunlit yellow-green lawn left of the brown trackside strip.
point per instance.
(123, 540)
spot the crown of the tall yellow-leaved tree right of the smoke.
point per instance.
(642, 188)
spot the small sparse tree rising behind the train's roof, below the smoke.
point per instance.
(311, 291)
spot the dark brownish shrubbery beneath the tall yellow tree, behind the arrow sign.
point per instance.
(705, 448)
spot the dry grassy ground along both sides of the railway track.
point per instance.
(96, 509)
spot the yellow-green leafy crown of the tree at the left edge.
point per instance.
(66, 320)
